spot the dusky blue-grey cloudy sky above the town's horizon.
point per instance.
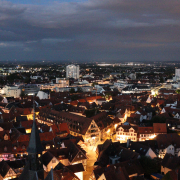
(90, 30)
